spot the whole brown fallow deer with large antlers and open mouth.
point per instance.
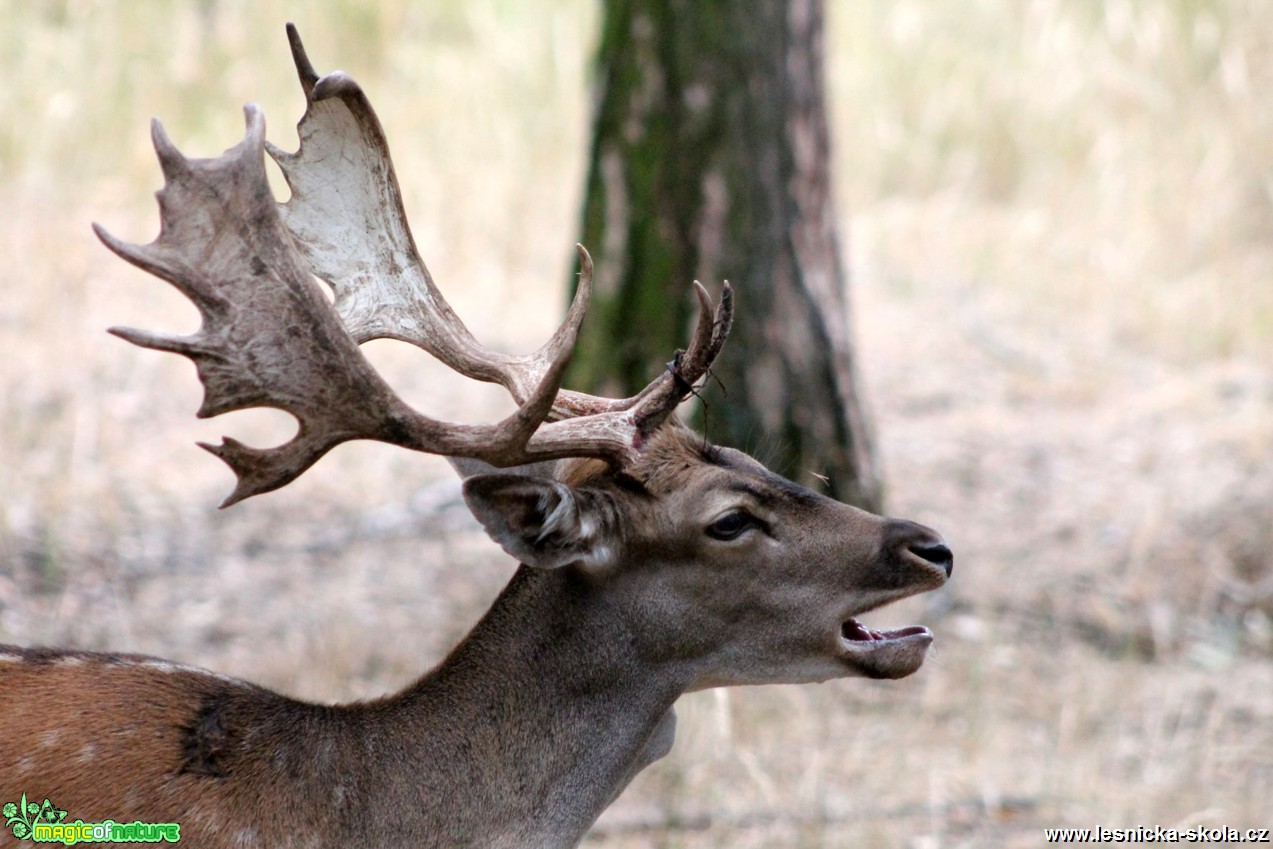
(652, 563)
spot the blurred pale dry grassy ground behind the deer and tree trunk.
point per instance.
(1060, 228)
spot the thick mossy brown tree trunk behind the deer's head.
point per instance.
(711, 161)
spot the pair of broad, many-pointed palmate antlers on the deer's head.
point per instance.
(271, 338)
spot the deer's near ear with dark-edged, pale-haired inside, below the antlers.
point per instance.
(542, 523)
